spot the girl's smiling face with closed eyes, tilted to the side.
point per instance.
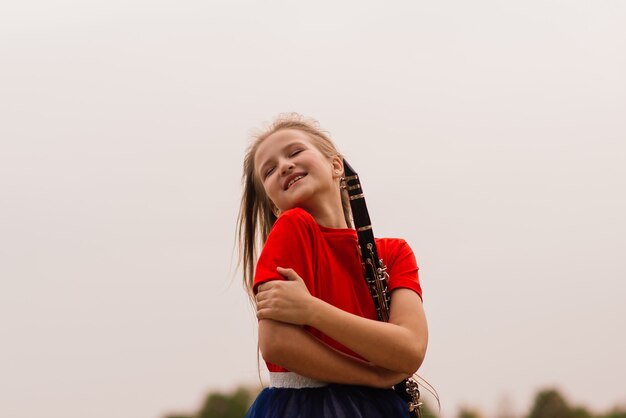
(294, 173)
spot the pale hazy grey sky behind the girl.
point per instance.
(490, 134)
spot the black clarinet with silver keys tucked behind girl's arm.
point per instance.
(375, 273)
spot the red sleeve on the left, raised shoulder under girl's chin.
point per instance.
(289, 245)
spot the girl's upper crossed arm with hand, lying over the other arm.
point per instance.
(398, 345)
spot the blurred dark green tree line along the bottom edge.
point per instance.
(548, 403)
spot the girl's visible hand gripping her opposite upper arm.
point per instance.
(286, 301)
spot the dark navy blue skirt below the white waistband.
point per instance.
(336, 401)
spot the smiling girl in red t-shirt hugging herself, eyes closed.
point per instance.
(327, 354)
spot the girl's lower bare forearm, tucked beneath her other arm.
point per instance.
(291, 347)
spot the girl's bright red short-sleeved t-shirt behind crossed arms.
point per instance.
(328, 261)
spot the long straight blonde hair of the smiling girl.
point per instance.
(256, 213)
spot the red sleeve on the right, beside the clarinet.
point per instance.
(401, 266)
